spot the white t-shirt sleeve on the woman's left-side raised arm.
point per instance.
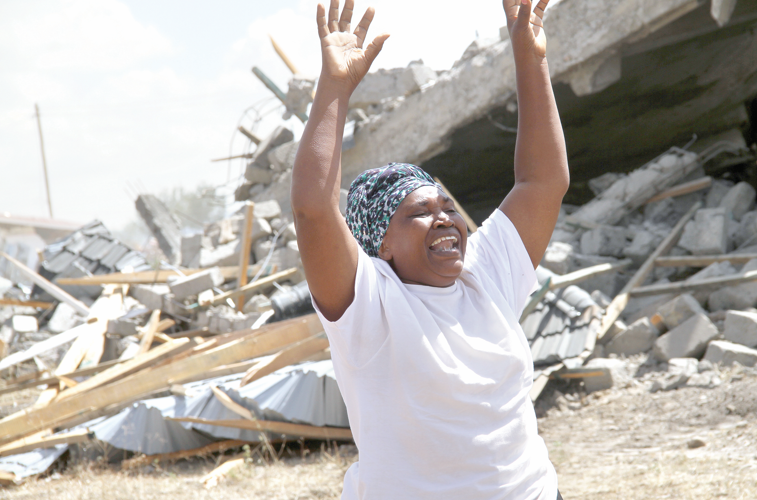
(361, 331)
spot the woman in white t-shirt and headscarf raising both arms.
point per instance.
(422, 319)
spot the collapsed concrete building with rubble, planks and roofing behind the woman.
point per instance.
(654, 253)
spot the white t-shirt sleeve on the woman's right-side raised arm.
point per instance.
(496, 252)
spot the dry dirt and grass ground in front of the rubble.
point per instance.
(625, 443)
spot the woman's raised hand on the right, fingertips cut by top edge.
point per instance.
(526, 28)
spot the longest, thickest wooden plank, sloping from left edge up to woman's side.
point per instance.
(60, 411)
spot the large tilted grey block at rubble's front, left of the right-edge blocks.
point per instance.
(687, 340)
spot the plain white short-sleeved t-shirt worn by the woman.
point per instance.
(436, 380)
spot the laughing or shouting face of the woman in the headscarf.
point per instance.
(426, 238)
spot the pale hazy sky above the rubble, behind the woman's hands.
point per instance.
(137, 96)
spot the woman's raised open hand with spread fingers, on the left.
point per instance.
(345, 63)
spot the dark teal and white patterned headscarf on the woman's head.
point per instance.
(374, 197)
